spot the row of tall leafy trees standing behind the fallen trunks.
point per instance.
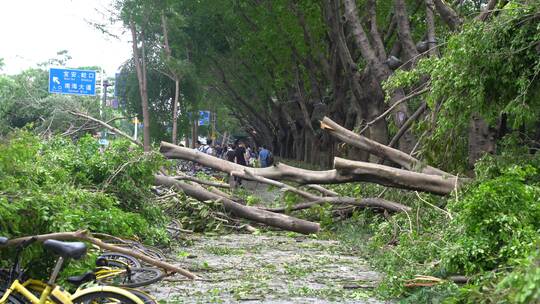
(279, 66)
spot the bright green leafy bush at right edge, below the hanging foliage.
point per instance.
(497, 221)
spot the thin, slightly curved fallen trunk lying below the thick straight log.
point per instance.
(366, 202)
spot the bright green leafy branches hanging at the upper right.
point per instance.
(488, 69)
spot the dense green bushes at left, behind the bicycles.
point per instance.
(56, 185)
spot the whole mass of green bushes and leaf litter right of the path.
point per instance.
(491, 233)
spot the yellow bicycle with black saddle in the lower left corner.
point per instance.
(38, 292)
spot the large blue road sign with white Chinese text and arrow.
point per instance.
(70, 81)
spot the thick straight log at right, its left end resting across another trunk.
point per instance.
(394, 177)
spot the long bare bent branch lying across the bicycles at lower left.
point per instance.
(84, 235)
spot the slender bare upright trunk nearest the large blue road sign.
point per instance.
(140, 66)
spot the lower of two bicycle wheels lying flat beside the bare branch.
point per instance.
(138, 277)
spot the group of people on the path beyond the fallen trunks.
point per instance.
(239, 153)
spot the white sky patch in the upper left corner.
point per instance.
(33, 31)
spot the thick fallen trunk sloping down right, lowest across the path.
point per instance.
(254, 214)
